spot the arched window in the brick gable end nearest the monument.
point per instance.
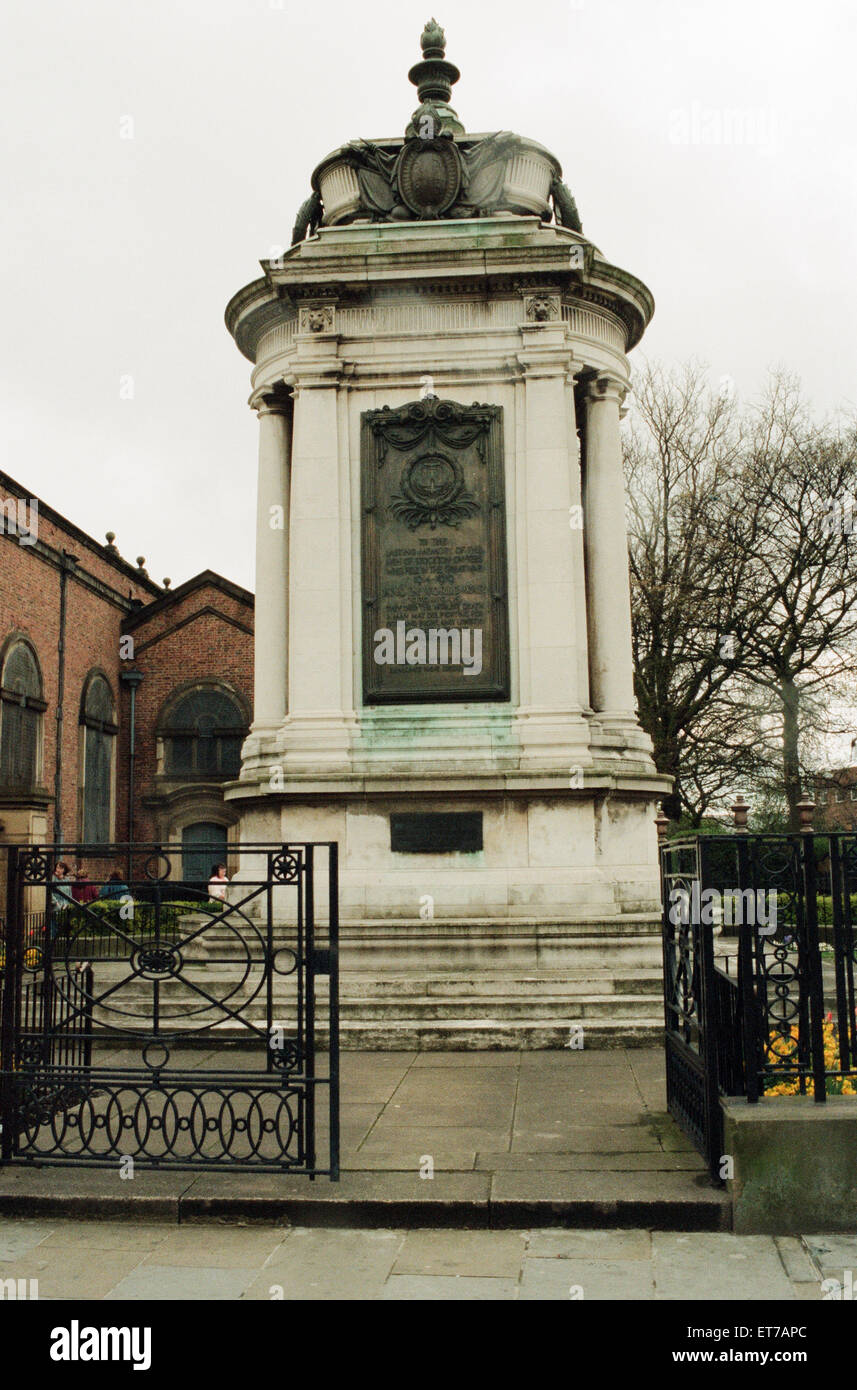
(203, 736)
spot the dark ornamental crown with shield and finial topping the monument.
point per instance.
(437, 172)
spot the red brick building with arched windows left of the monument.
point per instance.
(84, 637)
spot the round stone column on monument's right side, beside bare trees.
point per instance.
(606, 550)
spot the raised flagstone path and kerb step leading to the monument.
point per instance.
(480, 1140)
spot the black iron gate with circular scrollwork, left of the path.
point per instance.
(144, 1021)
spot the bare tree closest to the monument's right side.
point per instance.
(683, 458)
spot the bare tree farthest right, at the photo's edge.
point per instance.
(798, 489)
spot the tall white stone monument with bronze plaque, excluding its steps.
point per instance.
(444, 621)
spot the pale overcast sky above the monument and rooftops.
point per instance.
(710, 147)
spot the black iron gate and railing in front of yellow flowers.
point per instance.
(759, 1003)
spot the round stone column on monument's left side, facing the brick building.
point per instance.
(272, 644)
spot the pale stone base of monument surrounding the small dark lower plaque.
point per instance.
(548, 856)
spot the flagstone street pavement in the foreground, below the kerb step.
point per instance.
(128, 1261)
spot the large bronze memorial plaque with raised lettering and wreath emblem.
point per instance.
(435, 623)
